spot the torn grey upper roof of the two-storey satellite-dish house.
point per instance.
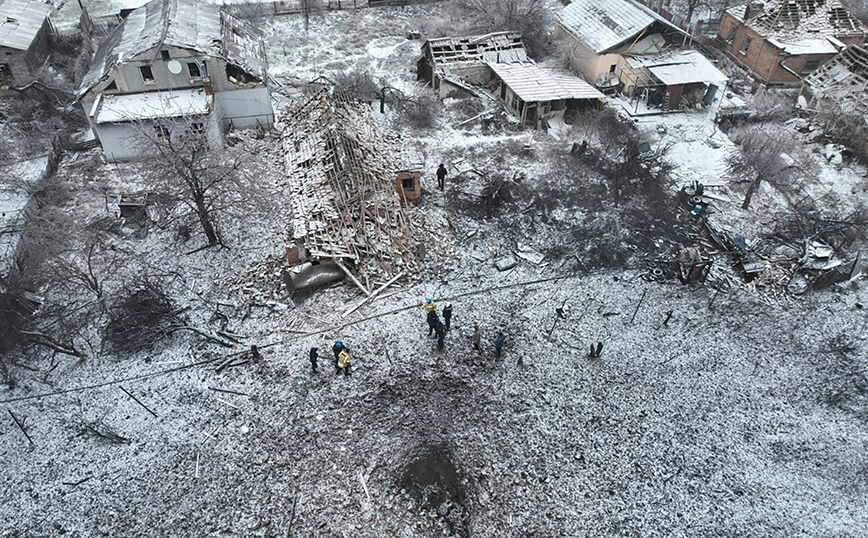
(188, 24)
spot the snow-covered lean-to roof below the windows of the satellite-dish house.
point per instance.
(152, 105)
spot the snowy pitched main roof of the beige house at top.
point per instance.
(605, 24)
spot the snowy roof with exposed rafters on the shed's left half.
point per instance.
(494, 47)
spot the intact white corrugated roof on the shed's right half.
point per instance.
(534, 83)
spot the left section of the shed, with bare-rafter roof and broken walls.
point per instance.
(450, 64)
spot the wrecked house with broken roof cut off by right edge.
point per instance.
(843, 80)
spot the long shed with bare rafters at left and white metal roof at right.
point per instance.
(496, 67)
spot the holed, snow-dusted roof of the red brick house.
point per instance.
(794, 19)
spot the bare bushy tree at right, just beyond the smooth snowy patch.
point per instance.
(767, 152)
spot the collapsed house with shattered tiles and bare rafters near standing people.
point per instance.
(341, 179)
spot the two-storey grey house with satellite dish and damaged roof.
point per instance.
(175, 66)
